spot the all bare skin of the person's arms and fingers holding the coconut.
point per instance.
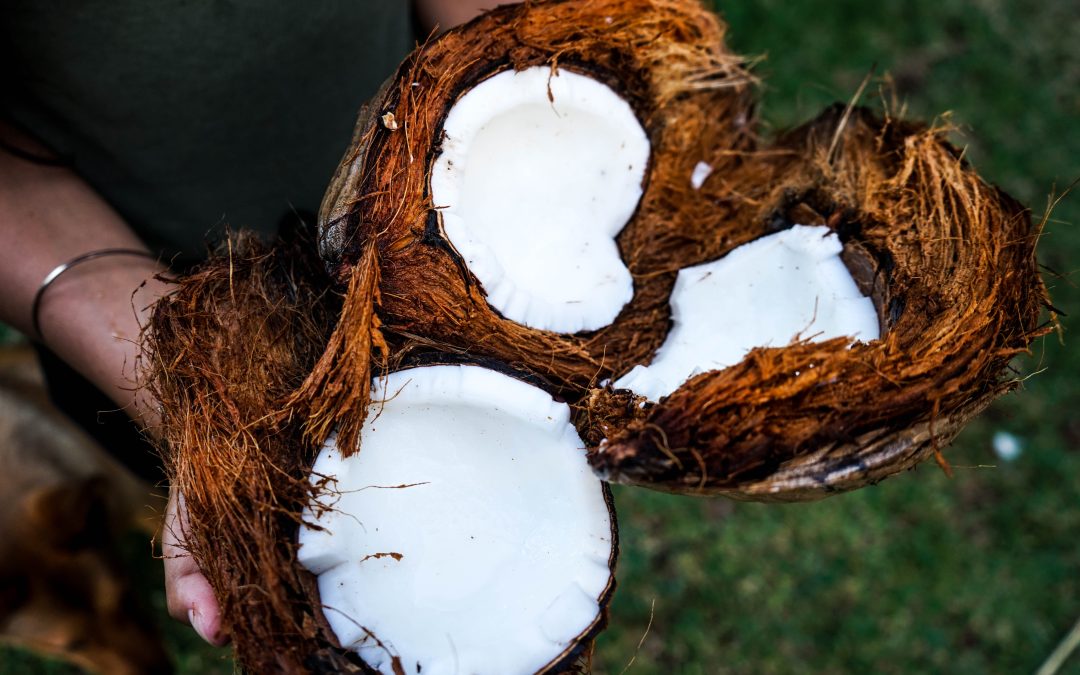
(92, 316)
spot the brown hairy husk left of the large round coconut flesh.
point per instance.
(227, 354)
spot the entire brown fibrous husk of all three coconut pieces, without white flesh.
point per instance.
(264, 352)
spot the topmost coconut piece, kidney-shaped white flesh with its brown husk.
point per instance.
(570, 210)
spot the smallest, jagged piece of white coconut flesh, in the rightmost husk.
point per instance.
(772, 292)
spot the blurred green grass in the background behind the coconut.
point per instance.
(922, 574)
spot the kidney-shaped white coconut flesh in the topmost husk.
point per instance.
(538, 172)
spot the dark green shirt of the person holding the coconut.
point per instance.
(190, 114)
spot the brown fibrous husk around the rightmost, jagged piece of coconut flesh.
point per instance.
(950, 263)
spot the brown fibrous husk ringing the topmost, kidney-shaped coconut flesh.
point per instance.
(666, 58)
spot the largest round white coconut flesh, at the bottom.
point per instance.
(468, 535)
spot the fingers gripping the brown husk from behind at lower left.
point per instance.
(188, 595)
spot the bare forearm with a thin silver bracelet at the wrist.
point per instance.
(91, 316)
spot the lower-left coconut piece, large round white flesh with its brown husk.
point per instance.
(509, 546)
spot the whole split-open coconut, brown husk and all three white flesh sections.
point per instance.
(258, 361)
